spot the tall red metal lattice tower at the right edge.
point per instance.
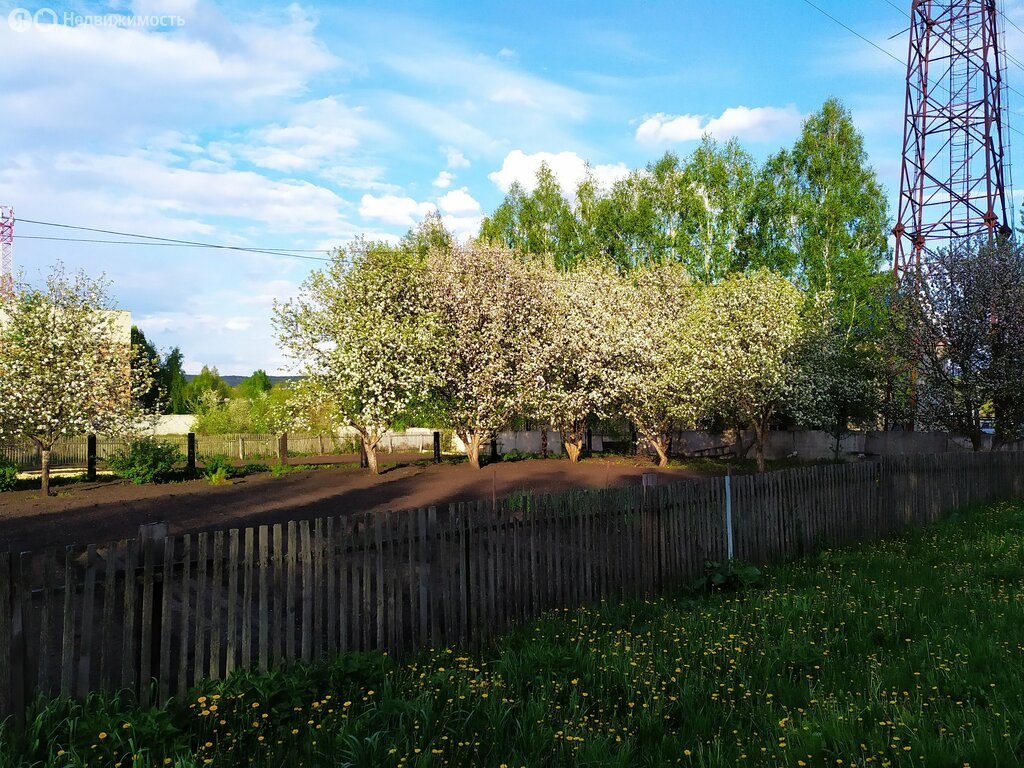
(956, 172)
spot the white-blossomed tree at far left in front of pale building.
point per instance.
(66, 366)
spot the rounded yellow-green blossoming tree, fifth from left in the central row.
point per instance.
(748, 337)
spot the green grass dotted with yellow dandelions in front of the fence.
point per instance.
(906, 653)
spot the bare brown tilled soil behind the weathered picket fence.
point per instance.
(107, 511)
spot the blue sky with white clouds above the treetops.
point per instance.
(304, 126)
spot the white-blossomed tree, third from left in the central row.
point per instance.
(582, 347)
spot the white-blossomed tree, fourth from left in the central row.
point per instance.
(648, 364)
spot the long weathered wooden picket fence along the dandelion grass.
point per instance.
(156, 617)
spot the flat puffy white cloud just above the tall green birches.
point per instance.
(750, 124)
